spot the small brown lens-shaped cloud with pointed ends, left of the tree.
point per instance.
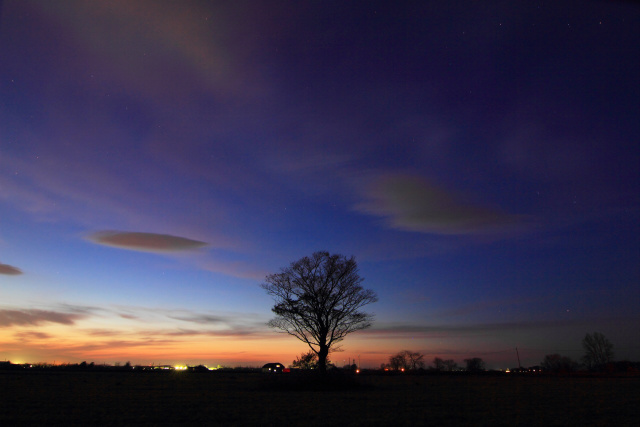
(146, 242)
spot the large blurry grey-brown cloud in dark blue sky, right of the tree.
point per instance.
(411, 203)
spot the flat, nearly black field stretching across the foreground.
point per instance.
(122, 398)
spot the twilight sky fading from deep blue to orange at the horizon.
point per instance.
(480, 160)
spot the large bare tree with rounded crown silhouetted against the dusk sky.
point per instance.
(318, 300)
